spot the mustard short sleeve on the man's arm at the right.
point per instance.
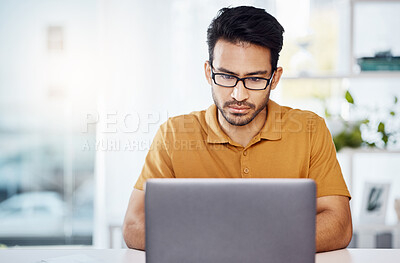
(324, 166)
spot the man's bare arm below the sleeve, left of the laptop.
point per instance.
(133, 227)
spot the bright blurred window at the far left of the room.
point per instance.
(46, 178)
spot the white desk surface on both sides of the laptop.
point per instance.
(130, 255)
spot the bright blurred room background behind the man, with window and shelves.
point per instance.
(84, 86)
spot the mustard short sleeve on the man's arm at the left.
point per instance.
(158, 162)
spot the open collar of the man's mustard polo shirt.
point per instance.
(270, 131)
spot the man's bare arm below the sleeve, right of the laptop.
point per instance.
(334, 224)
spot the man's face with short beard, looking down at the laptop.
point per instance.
(238, 105)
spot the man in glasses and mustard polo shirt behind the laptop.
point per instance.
(246, 135)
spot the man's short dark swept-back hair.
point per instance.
(246, 24)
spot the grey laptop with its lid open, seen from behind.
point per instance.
(230, 220)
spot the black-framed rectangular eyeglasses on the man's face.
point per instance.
(230, 81)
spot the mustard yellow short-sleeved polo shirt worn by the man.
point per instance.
(292, 144)
